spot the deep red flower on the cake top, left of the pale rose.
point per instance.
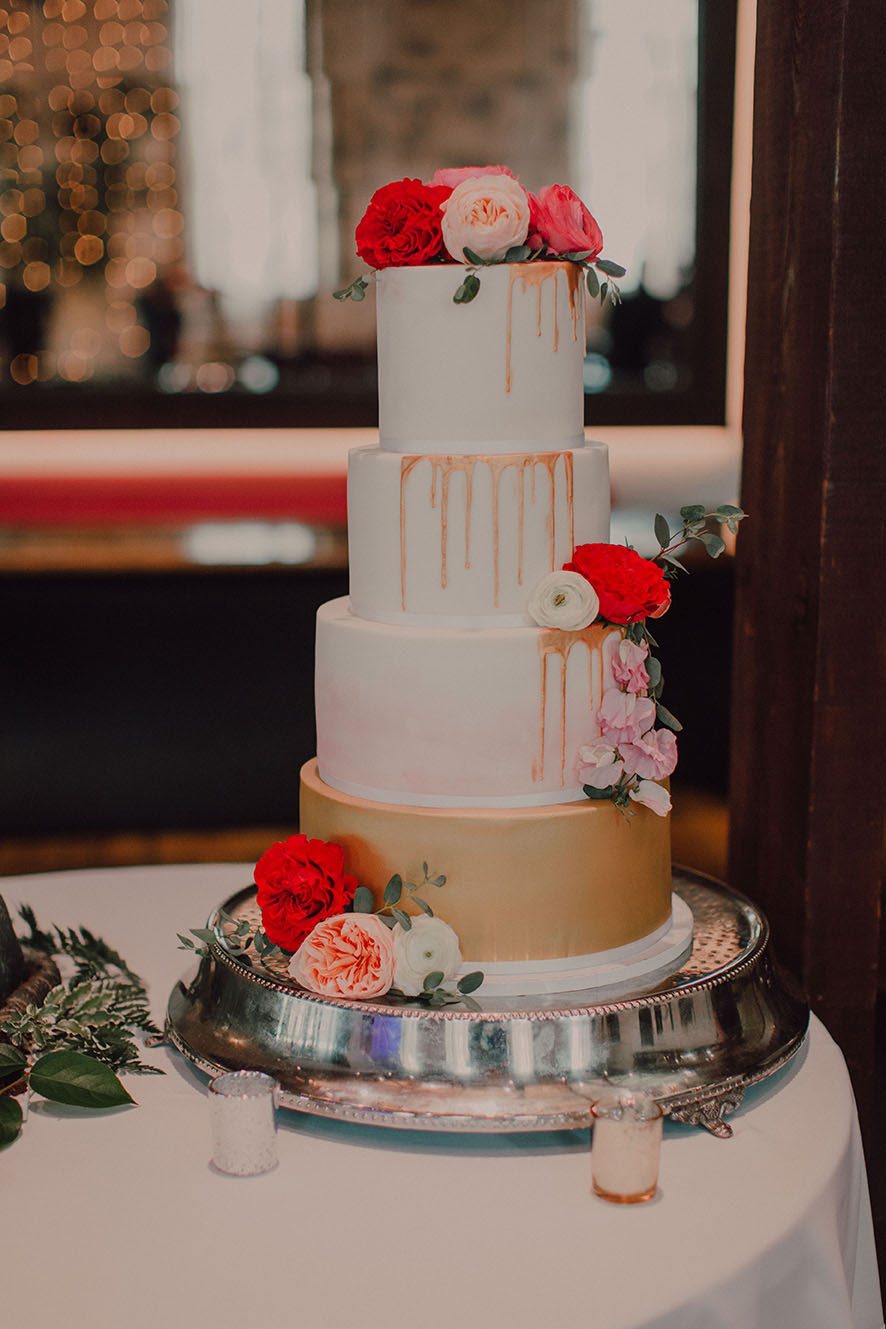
(402, 225)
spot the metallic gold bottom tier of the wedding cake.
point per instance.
(523, 884)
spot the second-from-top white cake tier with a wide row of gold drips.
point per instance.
(464, 540)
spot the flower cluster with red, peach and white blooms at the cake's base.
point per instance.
(337, 943)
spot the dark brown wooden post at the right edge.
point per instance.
(810, 709)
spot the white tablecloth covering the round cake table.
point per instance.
(116, 1219)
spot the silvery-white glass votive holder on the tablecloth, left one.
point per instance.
(242, 1122)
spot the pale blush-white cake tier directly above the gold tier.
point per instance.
(444, 717)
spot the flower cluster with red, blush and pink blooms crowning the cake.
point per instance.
(479, 216)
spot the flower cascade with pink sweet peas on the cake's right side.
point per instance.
(613, 584)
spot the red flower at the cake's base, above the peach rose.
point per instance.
(301, 882)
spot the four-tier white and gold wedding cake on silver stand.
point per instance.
(451, 725)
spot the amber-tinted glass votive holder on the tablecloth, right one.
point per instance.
(626, 1146)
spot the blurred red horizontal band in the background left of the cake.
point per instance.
(31, 500)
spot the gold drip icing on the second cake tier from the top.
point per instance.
(442, 472)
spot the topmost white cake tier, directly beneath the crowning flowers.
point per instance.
(501, 374)
